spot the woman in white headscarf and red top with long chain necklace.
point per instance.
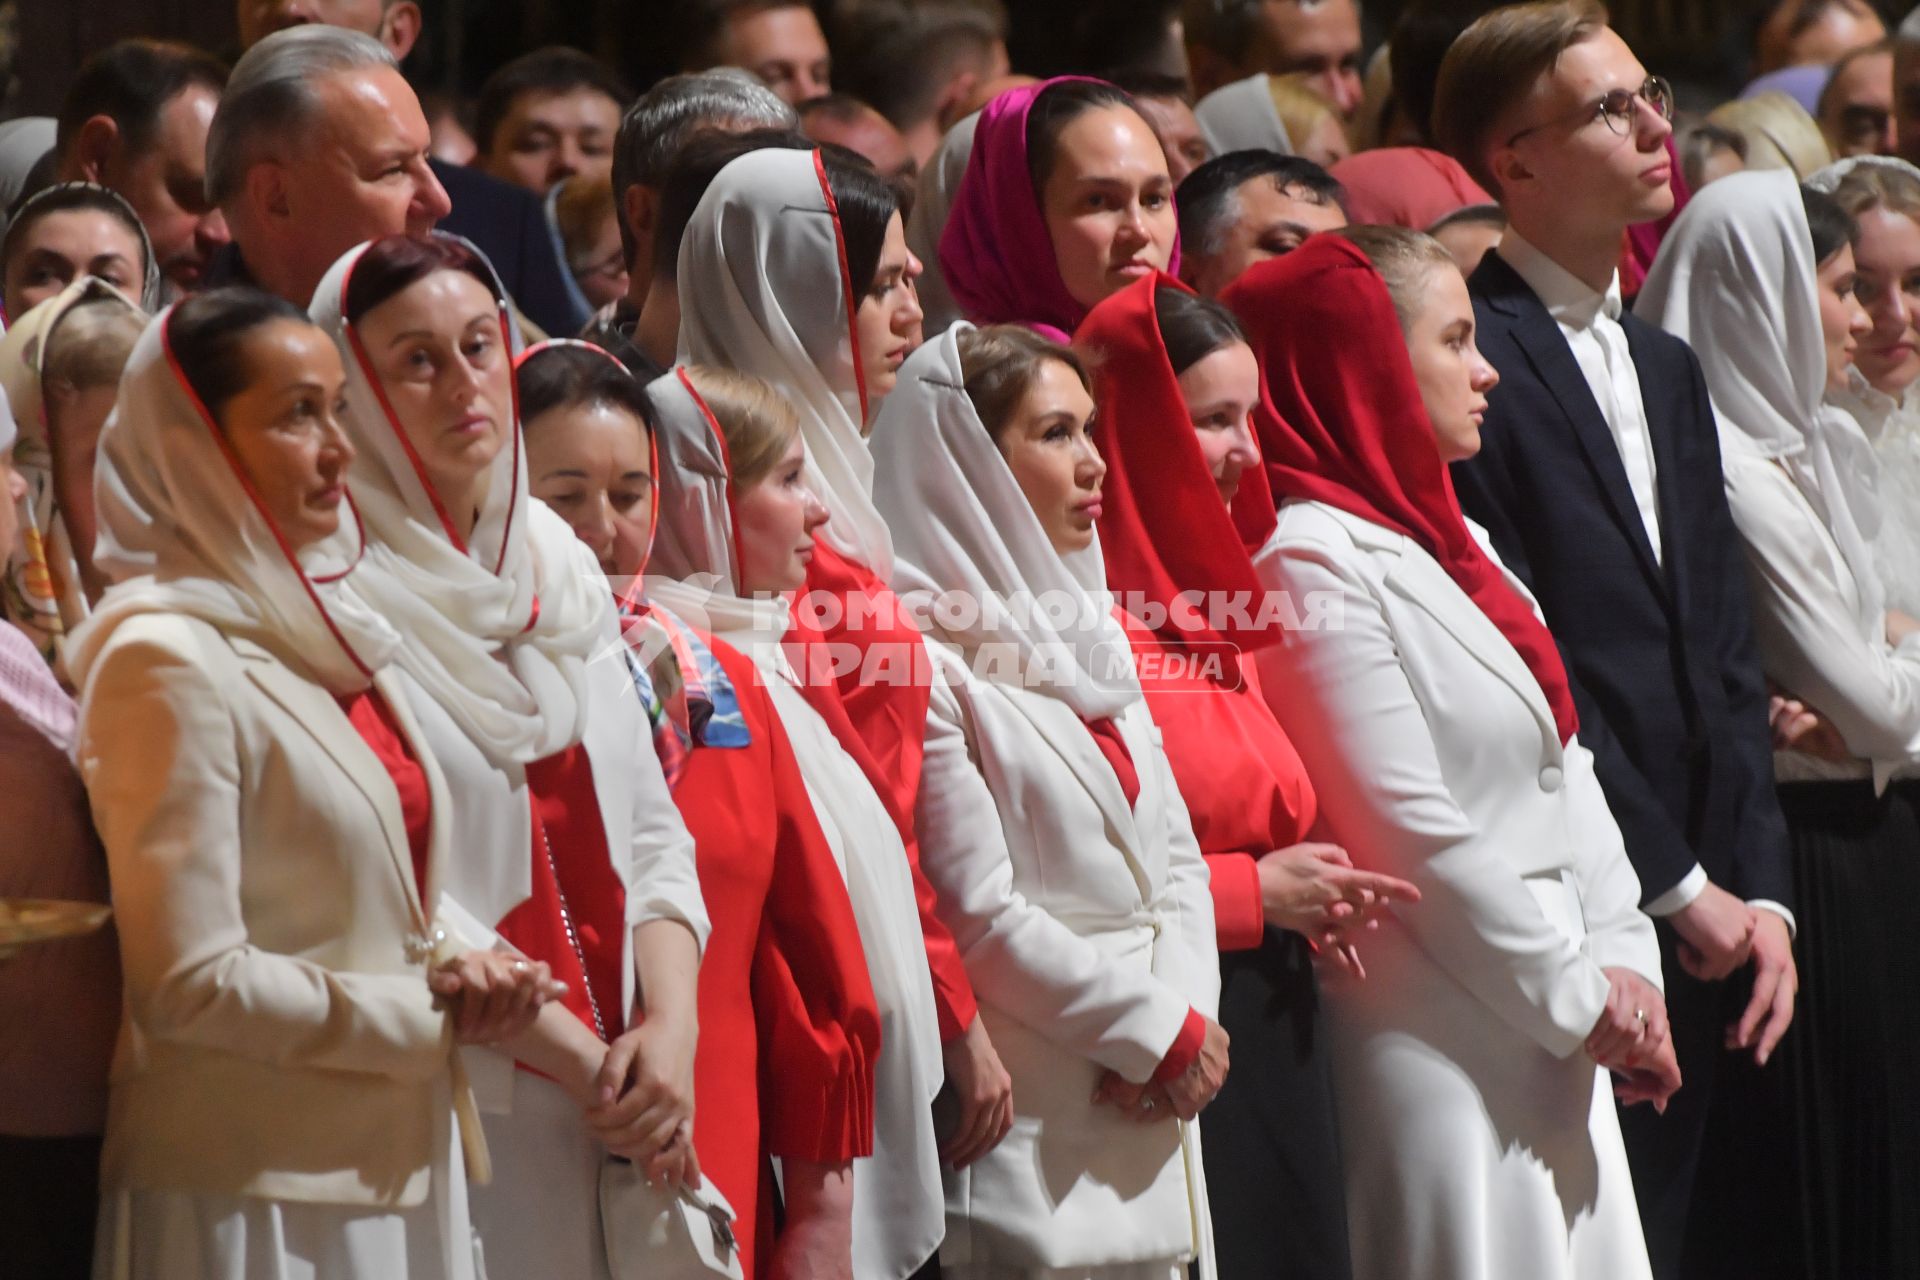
(571, 843)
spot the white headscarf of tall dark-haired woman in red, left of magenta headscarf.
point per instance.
(773, 300)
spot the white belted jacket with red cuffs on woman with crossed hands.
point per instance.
(1088, 932)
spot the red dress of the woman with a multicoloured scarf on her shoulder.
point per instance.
(790, 1030)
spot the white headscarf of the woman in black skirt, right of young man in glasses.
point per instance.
(1737, 281)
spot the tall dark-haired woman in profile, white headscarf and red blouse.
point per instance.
(811, 289)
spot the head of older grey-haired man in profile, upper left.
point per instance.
(316, 147)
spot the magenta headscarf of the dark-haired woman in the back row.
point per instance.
(996, 252)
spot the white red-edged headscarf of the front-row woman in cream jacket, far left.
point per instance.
(183, 531)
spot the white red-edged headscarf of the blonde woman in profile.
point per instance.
(694, 569)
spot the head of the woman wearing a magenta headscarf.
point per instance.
(1067, 201)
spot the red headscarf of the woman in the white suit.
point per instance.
(1343, 425)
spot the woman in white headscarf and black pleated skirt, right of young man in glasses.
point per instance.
(1758, 275)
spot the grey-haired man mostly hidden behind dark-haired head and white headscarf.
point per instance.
(644, 154)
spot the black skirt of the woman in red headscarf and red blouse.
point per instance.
(1272, 1150)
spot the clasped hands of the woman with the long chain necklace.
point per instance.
(646, 1099)
